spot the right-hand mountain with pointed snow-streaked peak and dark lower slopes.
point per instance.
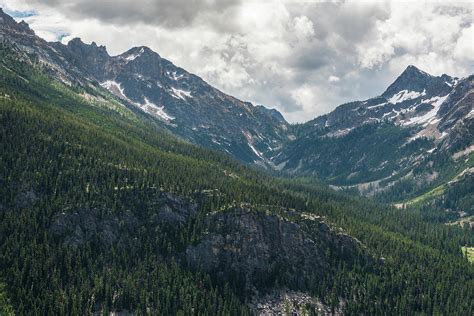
(415, 137)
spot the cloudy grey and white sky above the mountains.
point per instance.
(303, 58)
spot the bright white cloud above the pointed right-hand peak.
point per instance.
(431, 36)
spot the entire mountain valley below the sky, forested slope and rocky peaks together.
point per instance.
(131, 186)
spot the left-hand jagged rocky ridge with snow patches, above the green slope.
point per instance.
(181, 102)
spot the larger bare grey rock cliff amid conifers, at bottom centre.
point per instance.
(263, 250)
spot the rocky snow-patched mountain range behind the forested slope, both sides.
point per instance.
(371, 145)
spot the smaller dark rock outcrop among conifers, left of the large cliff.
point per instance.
(105, 228)
